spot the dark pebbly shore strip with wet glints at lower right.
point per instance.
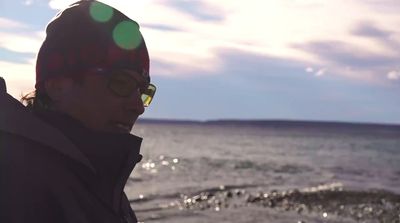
(326, 200)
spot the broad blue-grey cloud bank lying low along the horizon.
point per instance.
(277, 87)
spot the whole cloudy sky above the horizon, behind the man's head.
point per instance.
(320, 60)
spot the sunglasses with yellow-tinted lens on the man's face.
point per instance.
(124, 84)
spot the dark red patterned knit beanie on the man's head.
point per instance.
(90, 34)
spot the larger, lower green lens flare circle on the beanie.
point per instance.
(127, 35)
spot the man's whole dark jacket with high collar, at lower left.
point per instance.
(53, 169)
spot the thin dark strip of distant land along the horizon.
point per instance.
(276, 123)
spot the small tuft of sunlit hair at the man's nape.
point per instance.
(37, 100)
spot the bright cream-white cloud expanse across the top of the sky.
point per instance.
(186, 34)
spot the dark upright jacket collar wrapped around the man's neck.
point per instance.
(113, 155)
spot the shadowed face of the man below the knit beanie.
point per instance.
(99, 108)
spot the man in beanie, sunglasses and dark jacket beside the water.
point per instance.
(65, 157)
